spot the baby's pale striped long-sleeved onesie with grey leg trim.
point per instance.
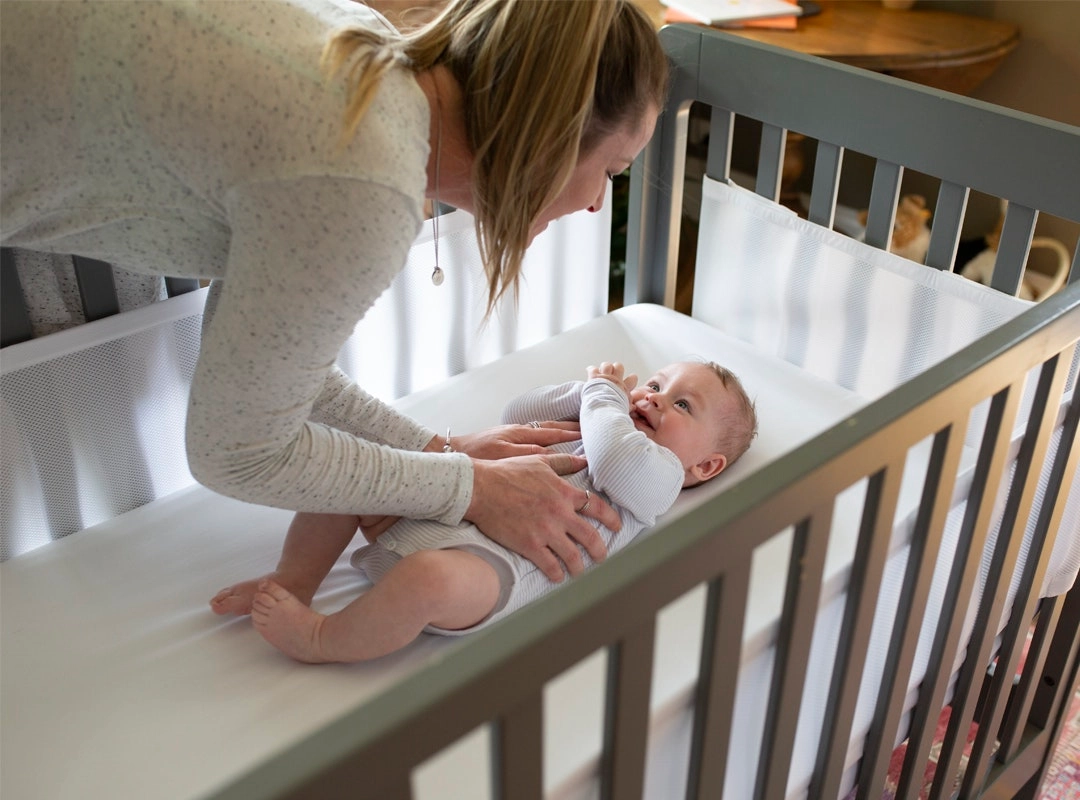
(639, 478)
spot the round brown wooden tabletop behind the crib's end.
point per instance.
(953, 52)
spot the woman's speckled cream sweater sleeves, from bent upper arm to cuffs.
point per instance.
(271, 419)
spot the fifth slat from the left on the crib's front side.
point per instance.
(872, 552)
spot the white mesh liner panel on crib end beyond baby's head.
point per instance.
(849, 314)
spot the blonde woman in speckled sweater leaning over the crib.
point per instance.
(286, 150)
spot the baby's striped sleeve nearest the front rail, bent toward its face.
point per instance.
(634, 472)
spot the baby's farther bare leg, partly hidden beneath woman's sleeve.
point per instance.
(313, 546)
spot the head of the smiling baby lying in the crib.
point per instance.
(698, 411)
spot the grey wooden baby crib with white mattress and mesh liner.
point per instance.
(904, 536)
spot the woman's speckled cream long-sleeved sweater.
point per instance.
(201, 140)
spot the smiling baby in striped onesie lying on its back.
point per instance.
(644, 444)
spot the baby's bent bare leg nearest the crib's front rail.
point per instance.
(450, 589)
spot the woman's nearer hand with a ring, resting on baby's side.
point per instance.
(524, 506)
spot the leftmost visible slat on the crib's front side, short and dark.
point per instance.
(519, 752)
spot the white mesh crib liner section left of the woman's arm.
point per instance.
(94, 432)
